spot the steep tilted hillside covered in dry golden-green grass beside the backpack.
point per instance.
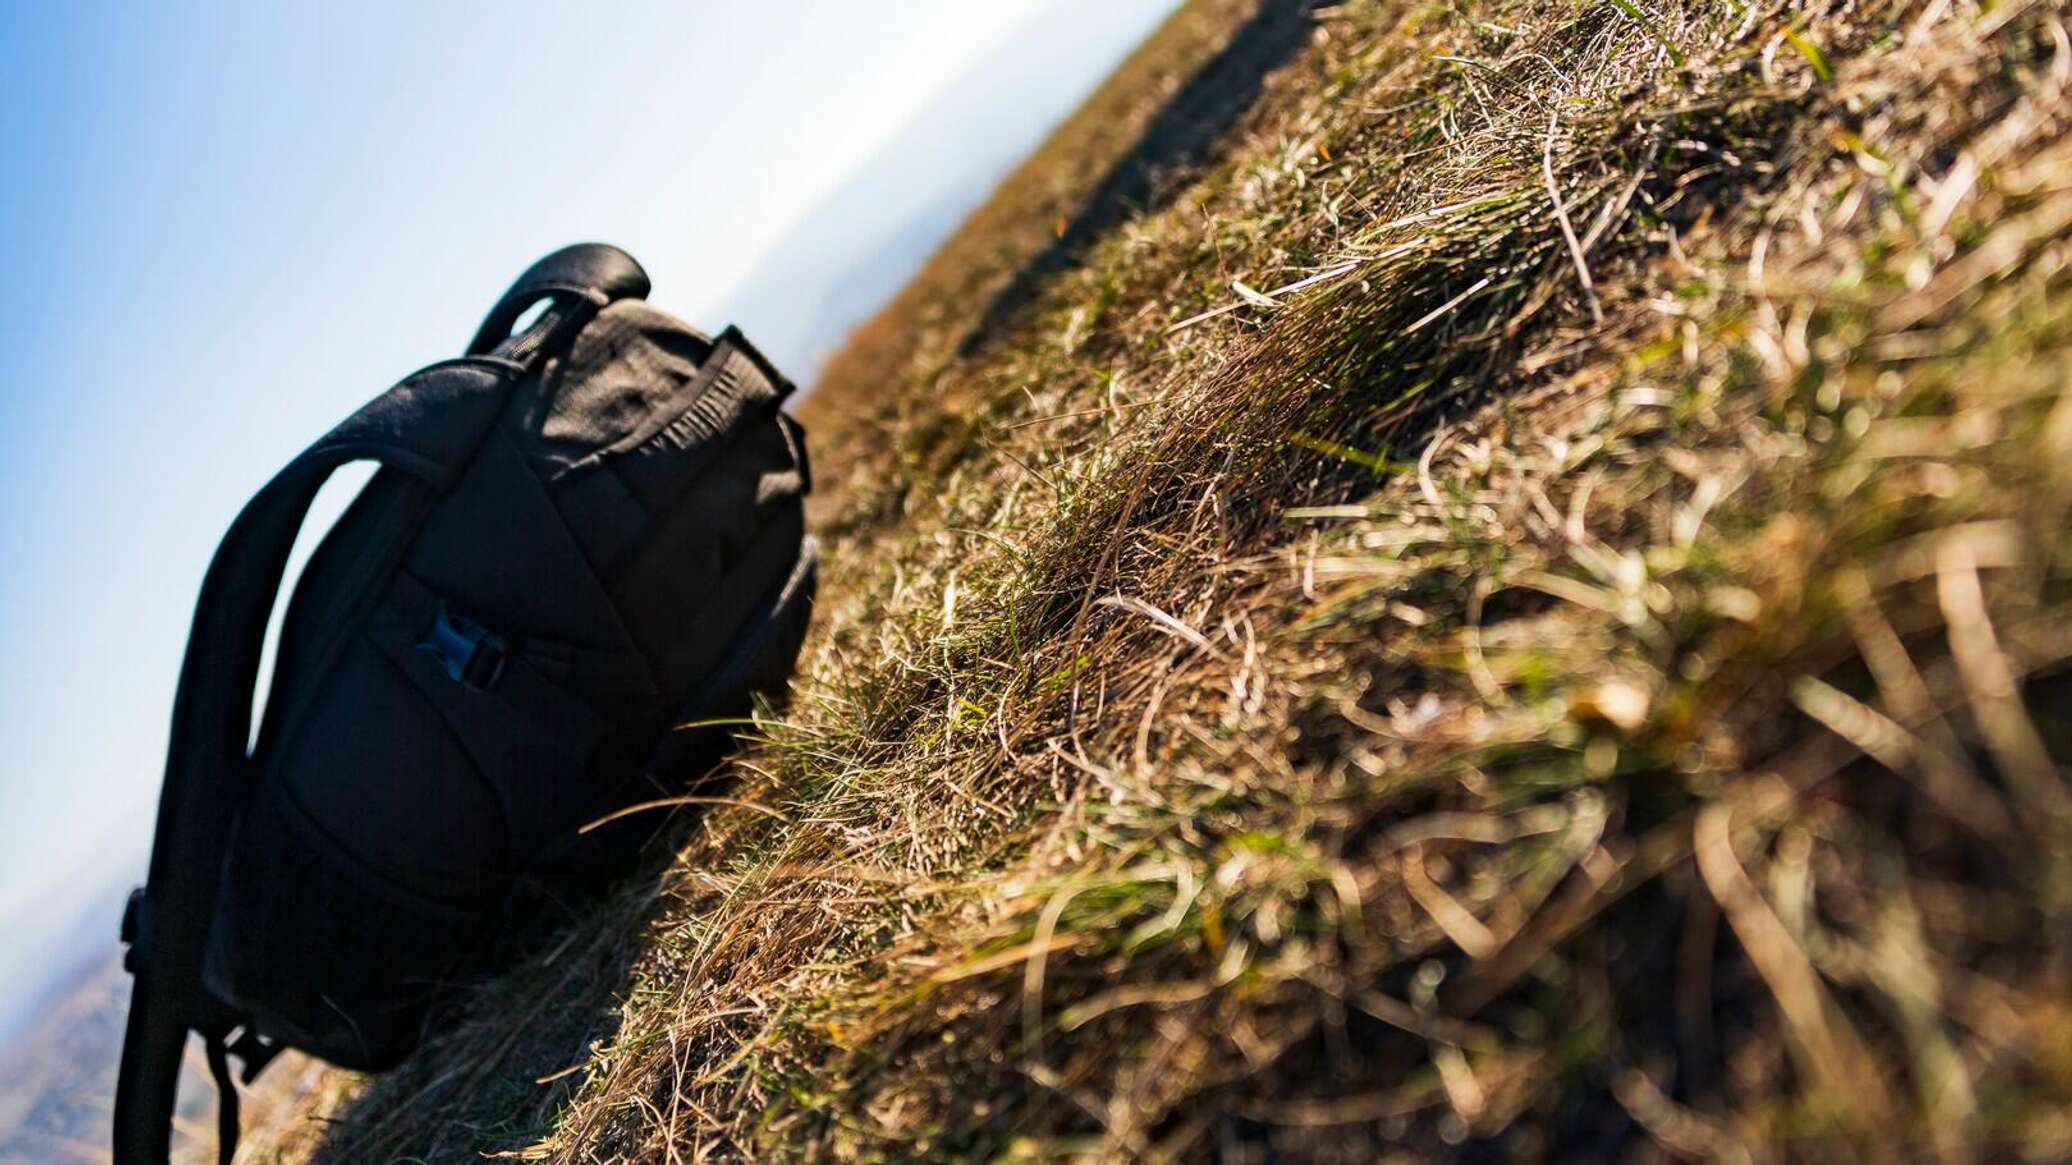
(1512, 608)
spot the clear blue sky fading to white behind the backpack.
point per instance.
(227, 227)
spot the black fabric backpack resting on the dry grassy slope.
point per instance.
(581, 540)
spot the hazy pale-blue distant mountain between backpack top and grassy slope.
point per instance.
(880, 227)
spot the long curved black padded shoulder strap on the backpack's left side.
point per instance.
(426, 430)
